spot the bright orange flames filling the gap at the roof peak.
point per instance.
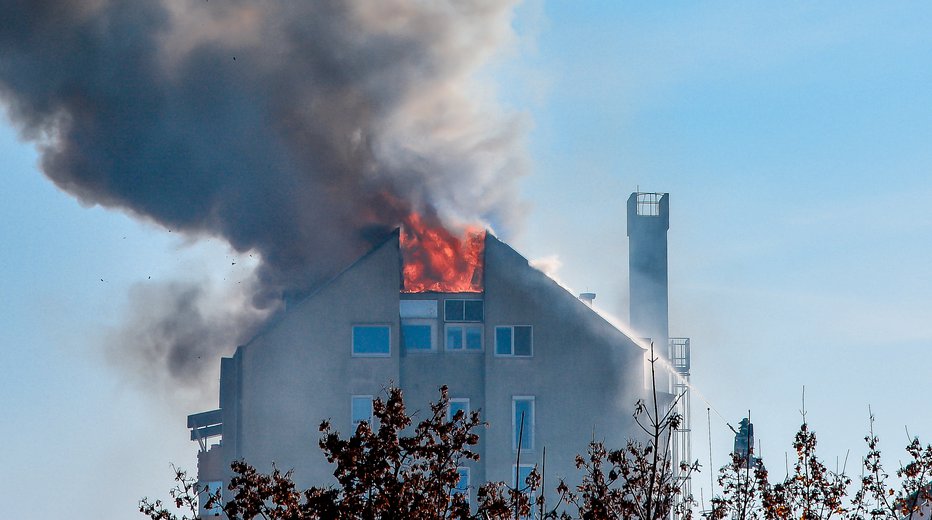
(435, 260)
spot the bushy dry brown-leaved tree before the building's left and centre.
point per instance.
(382, 473)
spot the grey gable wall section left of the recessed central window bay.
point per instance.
(302, 370)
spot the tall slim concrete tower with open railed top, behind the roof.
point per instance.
(648, 222)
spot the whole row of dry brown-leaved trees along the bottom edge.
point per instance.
(396, 469)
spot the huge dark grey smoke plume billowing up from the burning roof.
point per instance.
(300, 130)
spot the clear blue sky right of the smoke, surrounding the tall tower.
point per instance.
(793, 140)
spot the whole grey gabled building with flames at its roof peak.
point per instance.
(420, 310)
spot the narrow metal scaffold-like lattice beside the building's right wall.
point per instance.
(679, 387)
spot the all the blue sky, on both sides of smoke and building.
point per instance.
(792, 137)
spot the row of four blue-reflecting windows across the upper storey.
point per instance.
(418, 336)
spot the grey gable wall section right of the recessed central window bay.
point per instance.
(584, 374)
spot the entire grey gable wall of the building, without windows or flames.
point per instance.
(584, 375)
